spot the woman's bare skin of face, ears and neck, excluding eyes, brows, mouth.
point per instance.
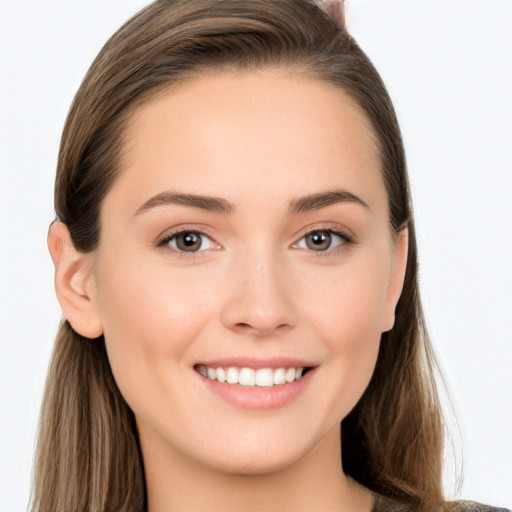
(260, 141)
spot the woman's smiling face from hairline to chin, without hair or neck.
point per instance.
(246, 238)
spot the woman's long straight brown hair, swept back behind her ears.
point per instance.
(88, 457)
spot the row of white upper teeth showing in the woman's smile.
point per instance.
(262, 377)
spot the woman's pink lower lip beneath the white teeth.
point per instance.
(258, 398)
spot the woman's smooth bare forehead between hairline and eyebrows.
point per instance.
(246, 133)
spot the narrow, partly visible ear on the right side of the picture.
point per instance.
(396, 279)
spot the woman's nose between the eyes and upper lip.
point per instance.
(259, 298)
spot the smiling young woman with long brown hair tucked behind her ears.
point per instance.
(236, 262)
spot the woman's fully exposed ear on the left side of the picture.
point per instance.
(74, 282)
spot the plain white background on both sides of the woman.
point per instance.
(448, 66)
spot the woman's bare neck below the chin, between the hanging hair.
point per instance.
(315, 482)
